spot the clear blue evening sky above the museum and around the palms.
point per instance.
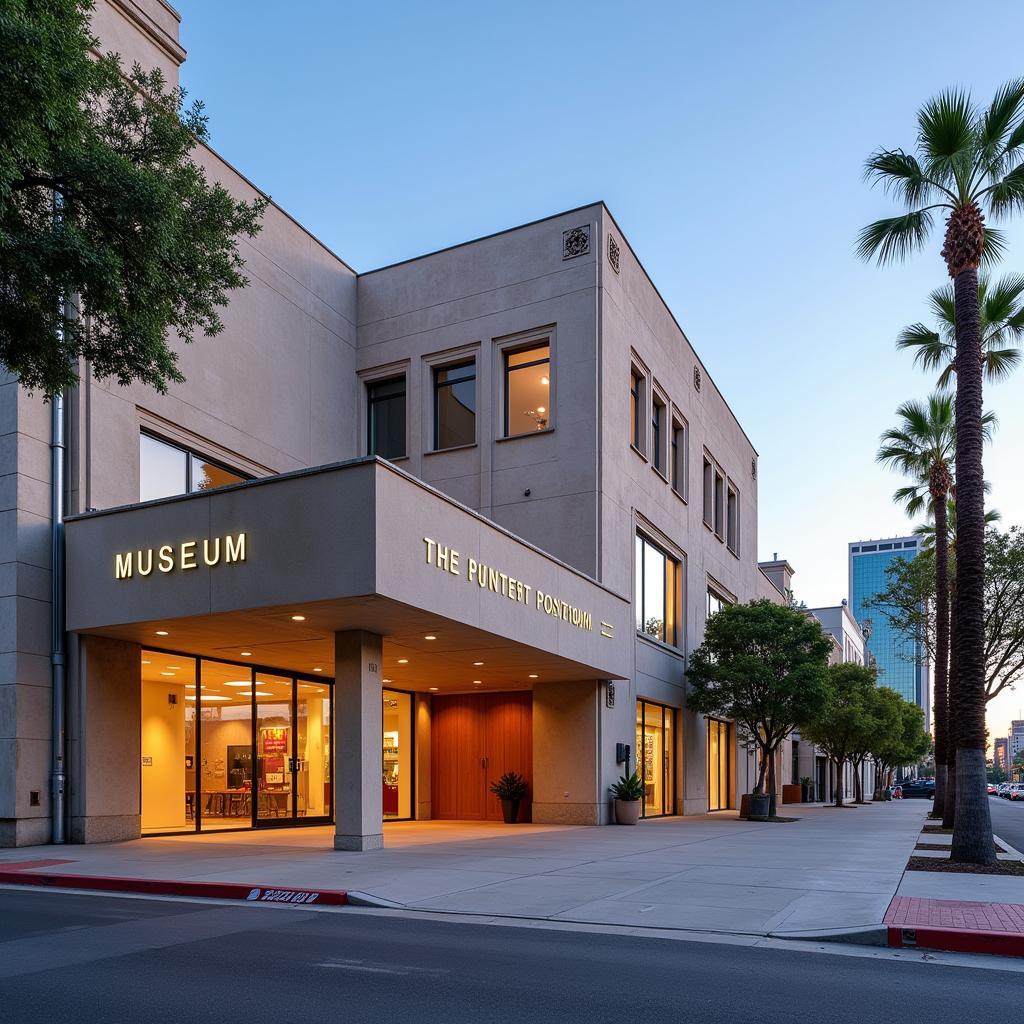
(728, 139)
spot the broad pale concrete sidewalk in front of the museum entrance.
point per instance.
(832, 871)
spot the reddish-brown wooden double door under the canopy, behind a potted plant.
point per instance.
(475, 740)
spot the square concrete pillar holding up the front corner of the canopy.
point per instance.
(359, 728)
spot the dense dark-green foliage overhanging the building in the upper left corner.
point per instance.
(111, 235)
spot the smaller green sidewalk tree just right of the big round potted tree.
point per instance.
(844, 723)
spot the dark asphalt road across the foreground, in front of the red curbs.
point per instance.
(92, 960)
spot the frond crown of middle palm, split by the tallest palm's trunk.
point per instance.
(1002, 308)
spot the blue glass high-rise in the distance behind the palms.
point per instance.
(902, 662)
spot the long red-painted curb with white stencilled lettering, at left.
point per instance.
(166, 887)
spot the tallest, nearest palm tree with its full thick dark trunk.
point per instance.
(969, 160)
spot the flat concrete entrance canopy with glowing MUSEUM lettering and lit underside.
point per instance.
(271, 570)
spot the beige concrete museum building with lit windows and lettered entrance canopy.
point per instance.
(400, 532)
